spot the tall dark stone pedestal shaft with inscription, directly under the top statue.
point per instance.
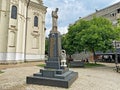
(53, 61)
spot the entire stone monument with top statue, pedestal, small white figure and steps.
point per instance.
(55, 73)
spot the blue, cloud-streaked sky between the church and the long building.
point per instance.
(71, 10)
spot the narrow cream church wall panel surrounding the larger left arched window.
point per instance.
(12, 33)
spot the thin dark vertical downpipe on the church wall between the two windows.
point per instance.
(28, 2)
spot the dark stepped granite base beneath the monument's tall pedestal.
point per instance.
(52, 77)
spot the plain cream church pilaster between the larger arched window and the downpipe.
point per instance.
(21, 31)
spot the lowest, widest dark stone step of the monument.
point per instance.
(65, 83)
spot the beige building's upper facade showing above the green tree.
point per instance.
(111, 12)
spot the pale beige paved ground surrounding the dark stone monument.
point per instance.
(99, 78)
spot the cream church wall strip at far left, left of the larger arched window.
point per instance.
(4, 15)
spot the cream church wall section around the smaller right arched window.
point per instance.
(35, 35)
